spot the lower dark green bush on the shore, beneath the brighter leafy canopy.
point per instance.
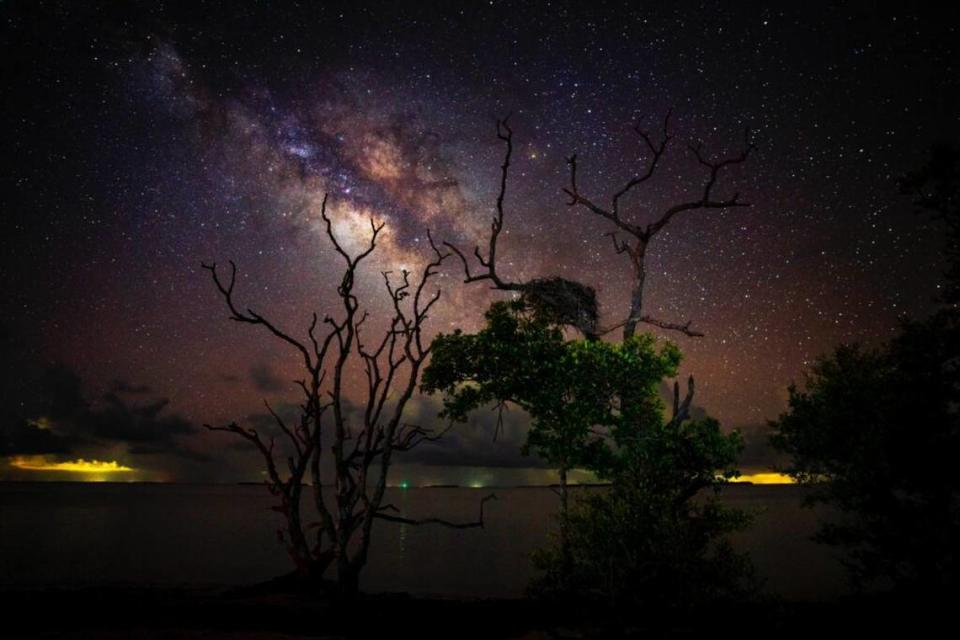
(654, 538)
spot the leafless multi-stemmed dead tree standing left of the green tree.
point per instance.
(360, 449)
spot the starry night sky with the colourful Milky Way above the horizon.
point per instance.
(142, 139)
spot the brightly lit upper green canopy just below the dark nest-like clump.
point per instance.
(571, 389)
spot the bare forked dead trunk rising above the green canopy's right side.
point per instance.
(640, 235)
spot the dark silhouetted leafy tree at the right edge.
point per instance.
(875, 432)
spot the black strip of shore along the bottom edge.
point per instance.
(278, 611)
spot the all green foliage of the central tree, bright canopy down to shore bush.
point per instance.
(653, 537)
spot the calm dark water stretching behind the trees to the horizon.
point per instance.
(77, 534)
